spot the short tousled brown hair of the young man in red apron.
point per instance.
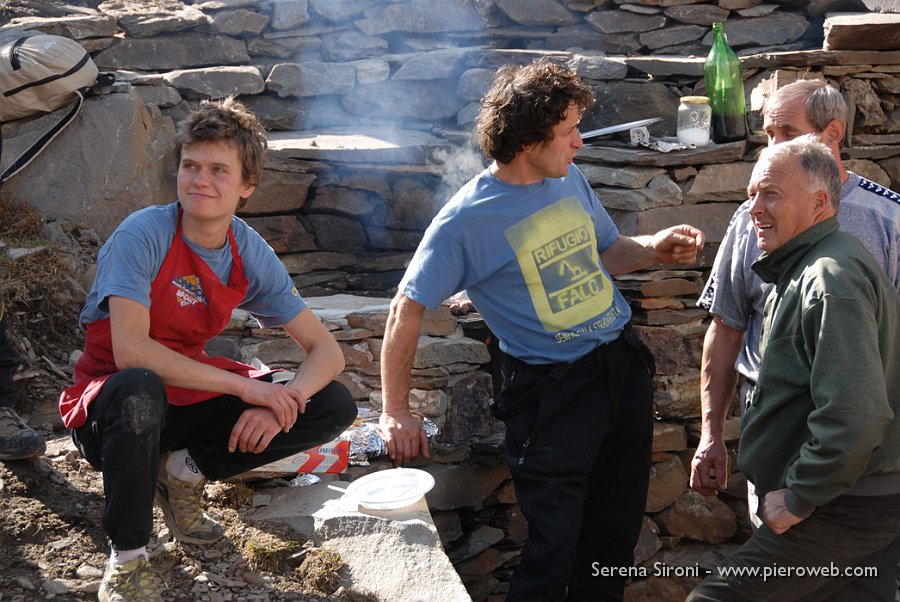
(230, 121)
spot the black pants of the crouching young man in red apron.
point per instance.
(130, 424)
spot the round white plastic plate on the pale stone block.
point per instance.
(390, 489)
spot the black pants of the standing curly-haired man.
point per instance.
(580, 459)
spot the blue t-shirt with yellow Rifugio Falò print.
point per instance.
(529, 259)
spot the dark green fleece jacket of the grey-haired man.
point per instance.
(823, 413)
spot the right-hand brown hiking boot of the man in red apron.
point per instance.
(180, 503)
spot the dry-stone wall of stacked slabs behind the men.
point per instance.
(371, 102)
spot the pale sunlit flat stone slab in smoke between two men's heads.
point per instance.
(359, 146)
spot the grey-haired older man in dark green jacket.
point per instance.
(820, 438)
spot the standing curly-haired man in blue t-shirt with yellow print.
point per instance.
(530, 242)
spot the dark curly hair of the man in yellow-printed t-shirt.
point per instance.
(523, 105)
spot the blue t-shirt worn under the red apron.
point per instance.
(132, 256)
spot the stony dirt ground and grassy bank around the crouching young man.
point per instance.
(52, 545)
